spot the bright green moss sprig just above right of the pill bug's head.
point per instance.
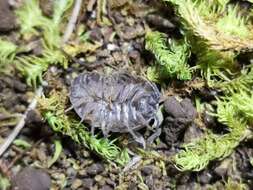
(171, 56)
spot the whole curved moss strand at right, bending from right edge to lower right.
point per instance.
(235, 113)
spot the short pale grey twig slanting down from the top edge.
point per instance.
(72, 21)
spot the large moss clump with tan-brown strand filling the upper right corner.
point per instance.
(216, 35)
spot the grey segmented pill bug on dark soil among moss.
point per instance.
(117, 103)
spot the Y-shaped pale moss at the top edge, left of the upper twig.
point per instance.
(31, 19)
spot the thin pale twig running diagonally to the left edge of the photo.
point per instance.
(20, 124)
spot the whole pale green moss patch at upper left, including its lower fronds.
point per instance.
(33, 22)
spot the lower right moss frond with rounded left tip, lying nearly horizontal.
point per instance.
(197, 155)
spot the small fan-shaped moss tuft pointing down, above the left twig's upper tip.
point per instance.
(32, 68)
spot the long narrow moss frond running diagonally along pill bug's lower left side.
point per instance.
(52, 109)
